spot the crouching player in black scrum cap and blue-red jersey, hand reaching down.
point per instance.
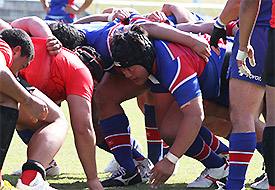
(170, 68)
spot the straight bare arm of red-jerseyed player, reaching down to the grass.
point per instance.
(84, 137)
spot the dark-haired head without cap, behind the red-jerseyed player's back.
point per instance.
(68, 35)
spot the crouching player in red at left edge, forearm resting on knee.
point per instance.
(34, 103)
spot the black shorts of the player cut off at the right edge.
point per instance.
(269, 68)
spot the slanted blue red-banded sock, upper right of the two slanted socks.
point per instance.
(212, 141)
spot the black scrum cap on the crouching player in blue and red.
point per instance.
(133, 48)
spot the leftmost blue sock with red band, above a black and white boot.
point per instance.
(117, 135)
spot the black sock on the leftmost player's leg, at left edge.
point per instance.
(8, 120)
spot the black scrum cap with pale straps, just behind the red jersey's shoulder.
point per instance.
(92, 60)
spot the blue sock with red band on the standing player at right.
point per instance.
(242, 146)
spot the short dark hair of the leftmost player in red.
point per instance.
(17, 37)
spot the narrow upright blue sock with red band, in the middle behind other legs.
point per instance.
(154, 141)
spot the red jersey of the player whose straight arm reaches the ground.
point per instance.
(58, 76)
